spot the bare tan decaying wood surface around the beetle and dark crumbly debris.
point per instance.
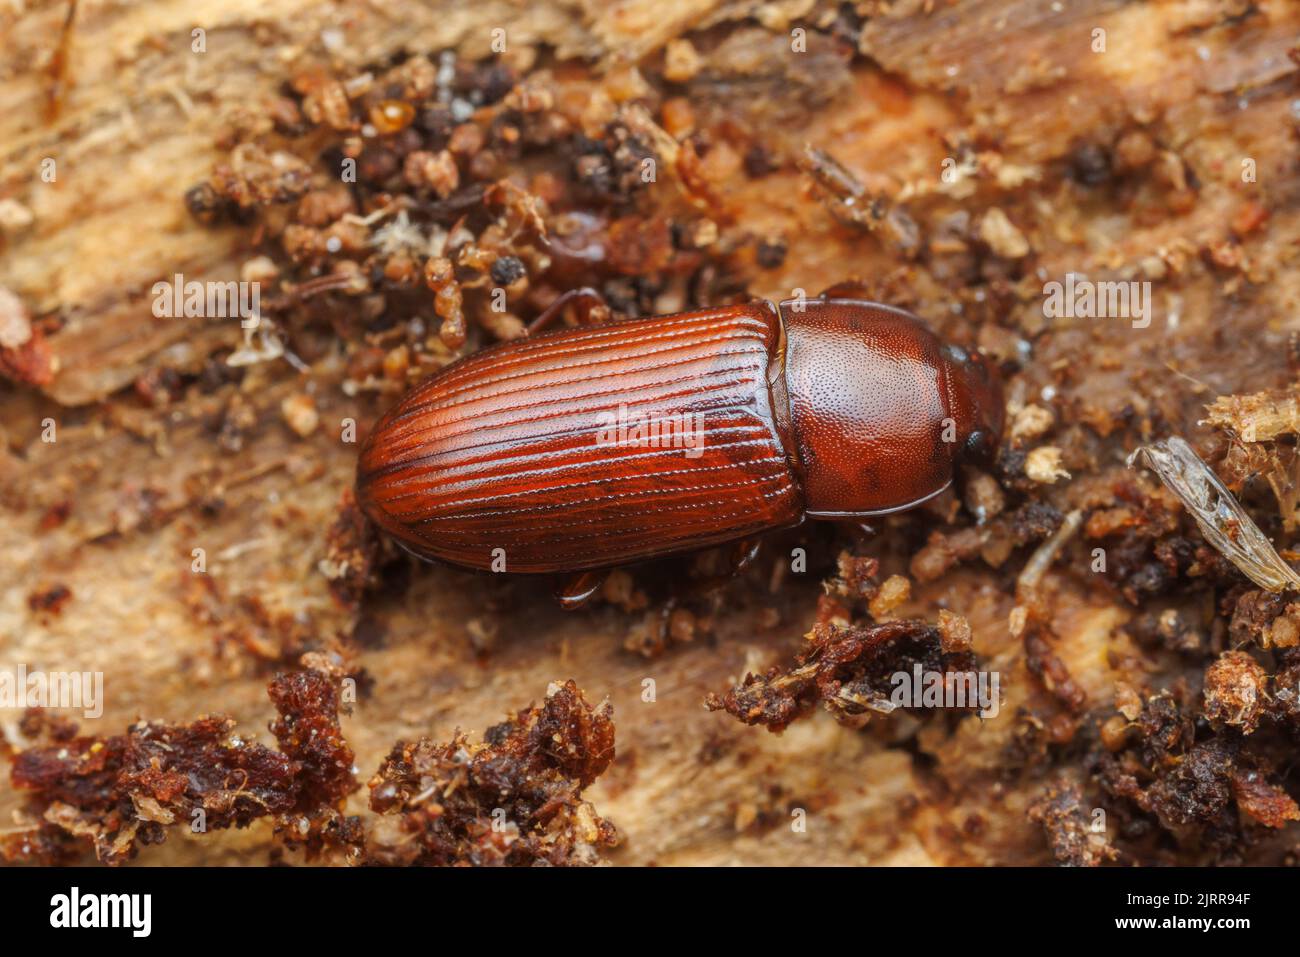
(1011, 96)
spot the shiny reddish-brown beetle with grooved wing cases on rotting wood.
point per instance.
(521, 457)
